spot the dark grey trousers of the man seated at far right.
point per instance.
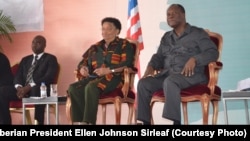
(172, 86)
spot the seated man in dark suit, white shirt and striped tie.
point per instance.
(45, 70)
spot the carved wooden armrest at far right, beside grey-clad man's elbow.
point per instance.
(214, 68)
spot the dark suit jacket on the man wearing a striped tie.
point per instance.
(45, 71)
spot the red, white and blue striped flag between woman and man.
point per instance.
(134, 27)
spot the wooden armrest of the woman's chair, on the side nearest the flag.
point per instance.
(129, 76)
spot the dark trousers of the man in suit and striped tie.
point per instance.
(7, 94)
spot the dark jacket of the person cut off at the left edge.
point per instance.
(6, 77)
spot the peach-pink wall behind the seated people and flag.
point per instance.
(71, 26)
